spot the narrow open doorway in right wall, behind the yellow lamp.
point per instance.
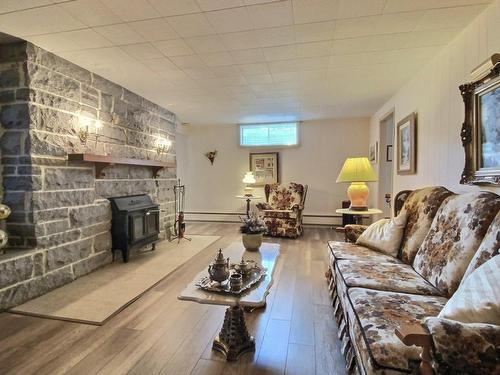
(386, 158)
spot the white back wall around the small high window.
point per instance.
(317, 161)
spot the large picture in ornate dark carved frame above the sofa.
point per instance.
(481, 129)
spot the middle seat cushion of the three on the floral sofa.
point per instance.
(388, 277)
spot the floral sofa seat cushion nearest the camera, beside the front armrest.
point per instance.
(376, 314)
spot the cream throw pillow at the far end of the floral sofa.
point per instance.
(384, 235)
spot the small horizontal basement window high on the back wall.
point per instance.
(275, 134)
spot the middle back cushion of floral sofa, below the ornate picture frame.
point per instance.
(456, 232)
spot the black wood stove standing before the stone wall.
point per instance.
(135, 223)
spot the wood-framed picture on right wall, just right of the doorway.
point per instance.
(407, 145)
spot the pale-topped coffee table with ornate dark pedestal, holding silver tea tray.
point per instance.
(233, 339)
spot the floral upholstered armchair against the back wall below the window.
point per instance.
(282, 211)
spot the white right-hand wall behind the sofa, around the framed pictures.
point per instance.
(433, 93)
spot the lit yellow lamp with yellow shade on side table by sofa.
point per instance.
(357, 171)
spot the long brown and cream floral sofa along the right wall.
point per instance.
(376, 295)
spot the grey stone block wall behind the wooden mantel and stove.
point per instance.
(59, 228)
